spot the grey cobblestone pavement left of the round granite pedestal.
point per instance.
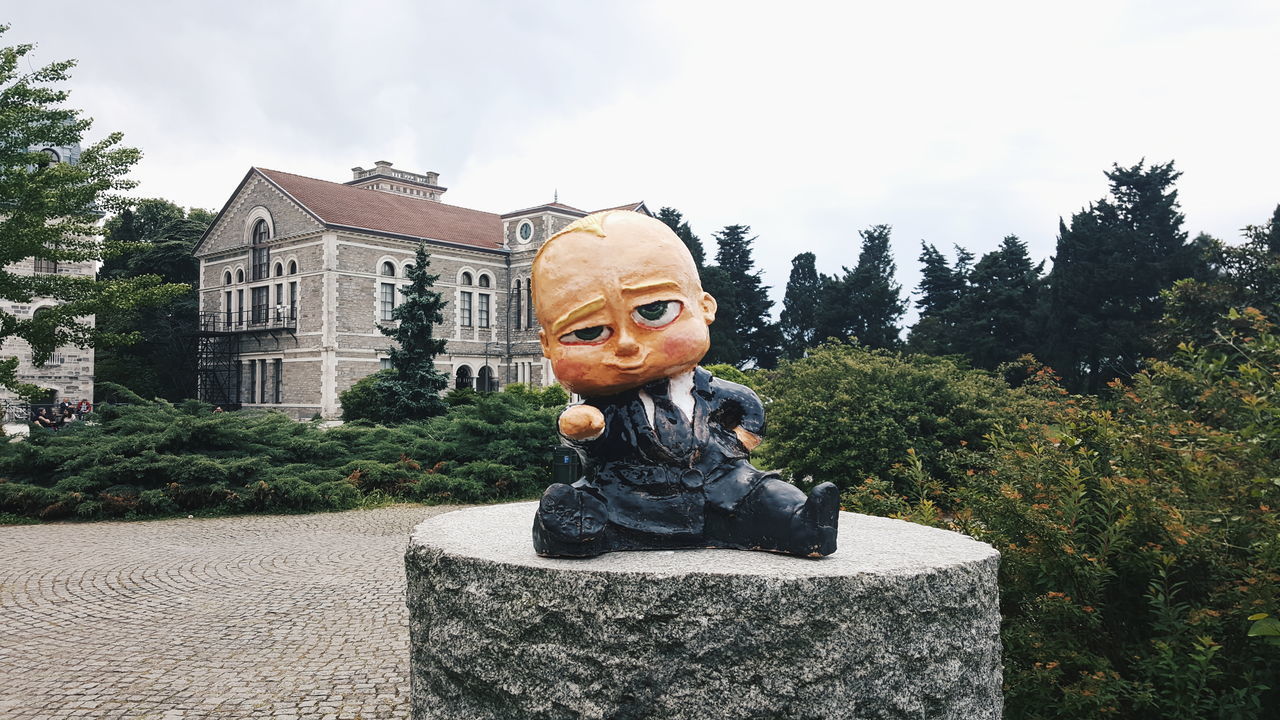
(262, 617)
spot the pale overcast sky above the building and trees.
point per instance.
(953, 122)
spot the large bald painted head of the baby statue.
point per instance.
(621, 311)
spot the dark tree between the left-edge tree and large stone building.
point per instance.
(157, 238)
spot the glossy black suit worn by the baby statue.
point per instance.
(691, 486)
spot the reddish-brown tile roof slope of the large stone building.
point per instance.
(339, 204)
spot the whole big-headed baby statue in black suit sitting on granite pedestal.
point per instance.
(665, 444)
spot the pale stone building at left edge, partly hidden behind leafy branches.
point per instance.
(70, 373)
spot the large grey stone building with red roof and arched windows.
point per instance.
(298, 275)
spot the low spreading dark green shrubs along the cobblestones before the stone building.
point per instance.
(149, 459)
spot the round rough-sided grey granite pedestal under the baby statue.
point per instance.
(902, 622)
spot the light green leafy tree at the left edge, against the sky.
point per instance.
(52, 212)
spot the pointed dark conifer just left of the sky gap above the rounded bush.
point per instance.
(865, 303)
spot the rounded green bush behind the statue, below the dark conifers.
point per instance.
(847, 413)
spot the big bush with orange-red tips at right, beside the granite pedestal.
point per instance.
(1140, 540)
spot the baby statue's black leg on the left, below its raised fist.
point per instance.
(572, 523)
